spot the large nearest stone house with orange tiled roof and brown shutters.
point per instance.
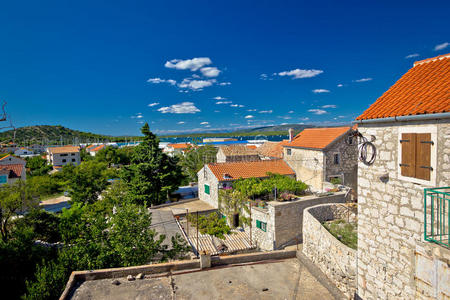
(398, 219)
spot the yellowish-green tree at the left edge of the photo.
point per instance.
(14, 198)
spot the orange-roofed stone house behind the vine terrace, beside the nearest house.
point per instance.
(319, 155)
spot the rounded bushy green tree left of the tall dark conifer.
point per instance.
(88, 181)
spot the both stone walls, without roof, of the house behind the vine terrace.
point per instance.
(315, 167)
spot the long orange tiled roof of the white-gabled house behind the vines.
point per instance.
(258, 169)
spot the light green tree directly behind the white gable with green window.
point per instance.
(195, 158)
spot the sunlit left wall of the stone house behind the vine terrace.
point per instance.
(308, 166)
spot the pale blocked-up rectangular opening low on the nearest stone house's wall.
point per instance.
(432, 275)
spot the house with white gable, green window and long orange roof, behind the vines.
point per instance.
(215, 176)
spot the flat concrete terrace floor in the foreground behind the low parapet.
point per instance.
(288, 279)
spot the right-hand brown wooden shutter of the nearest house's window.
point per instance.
(423, 156)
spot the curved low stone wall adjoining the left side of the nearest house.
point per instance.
(334, 258)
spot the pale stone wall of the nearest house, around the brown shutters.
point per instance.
(390, 209)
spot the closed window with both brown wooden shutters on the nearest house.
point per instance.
(416, 155)
